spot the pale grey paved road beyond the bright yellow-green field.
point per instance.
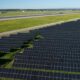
(21, 17)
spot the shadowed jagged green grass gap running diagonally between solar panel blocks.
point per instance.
(7, 59)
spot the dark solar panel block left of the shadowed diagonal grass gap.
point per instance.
(14, 41)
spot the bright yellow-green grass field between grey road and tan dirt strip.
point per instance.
(10, 25)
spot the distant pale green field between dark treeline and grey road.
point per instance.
(29, 13)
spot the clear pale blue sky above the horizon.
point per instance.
(39, 4)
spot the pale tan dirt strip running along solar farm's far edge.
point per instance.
(26, 30)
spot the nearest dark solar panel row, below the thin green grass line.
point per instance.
(37, 75)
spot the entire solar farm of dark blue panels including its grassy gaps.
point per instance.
(50, 53)
